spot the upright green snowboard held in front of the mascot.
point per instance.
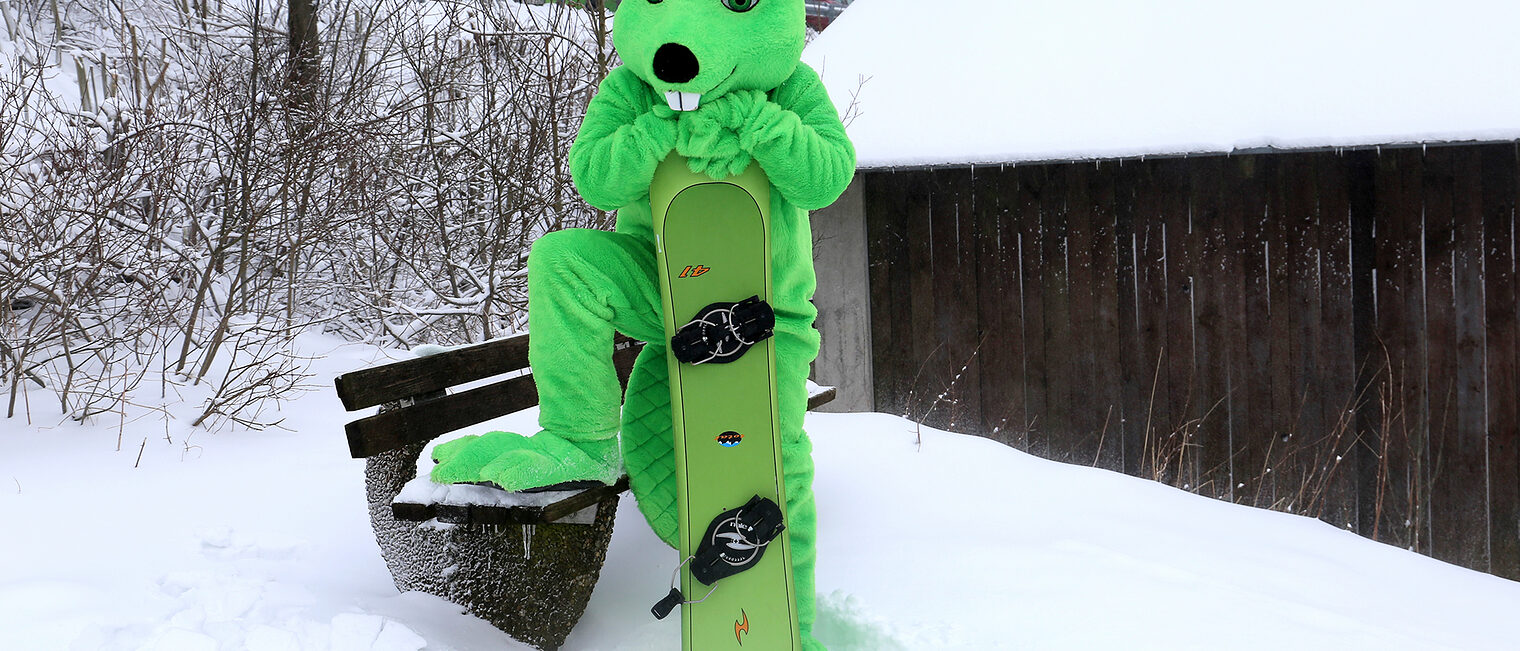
(714, 247)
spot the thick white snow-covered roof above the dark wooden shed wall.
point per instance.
(1007, 81)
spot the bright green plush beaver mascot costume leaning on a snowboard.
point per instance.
(720, 83)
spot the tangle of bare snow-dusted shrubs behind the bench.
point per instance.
(189, 212)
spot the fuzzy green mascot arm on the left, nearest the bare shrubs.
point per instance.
(622, 141)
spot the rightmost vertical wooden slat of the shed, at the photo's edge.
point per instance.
(1503, 337)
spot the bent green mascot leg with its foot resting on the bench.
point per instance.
(583, 287)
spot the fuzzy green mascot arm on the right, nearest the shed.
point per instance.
(800, 142)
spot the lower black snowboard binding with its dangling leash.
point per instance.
(735, 542)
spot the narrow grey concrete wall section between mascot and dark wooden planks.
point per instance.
(844, 302)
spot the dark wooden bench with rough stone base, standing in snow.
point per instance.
(527, 564)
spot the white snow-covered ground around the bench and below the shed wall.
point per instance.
(259, 541)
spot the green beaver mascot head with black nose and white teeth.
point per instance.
(695, 49)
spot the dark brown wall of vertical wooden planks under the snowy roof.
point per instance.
(1329, 334)
